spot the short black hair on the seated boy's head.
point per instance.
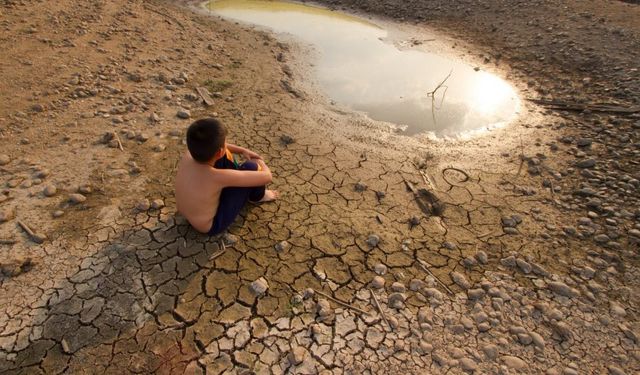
(204, 138)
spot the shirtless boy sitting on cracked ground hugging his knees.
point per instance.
(211, 188)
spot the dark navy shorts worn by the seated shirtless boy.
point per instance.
(232, 198)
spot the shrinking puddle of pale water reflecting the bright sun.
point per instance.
(358, 69)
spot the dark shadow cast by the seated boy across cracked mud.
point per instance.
(132, 284)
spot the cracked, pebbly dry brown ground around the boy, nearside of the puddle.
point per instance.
(542, 279)
